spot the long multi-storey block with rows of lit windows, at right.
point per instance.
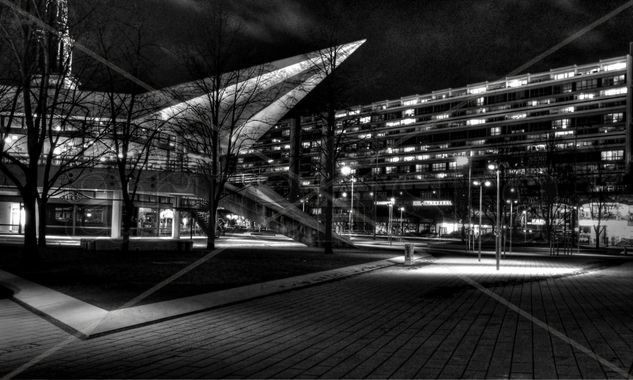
(562, 141)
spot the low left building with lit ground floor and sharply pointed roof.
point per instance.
(67, 152)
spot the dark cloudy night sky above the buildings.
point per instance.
(418, 46)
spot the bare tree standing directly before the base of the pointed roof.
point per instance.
(219, 109)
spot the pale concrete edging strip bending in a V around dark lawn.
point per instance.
(85, 320)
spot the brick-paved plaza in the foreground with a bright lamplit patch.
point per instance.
(450, 317)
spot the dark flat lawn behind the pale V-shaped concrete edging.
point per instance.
(109, 280)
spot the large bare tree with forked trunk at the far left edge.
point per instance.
(45, 132)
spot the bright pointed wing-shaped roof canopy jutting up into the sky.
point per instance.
(265, 93)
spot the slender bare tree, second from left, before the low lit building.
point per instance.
(129, 118)
